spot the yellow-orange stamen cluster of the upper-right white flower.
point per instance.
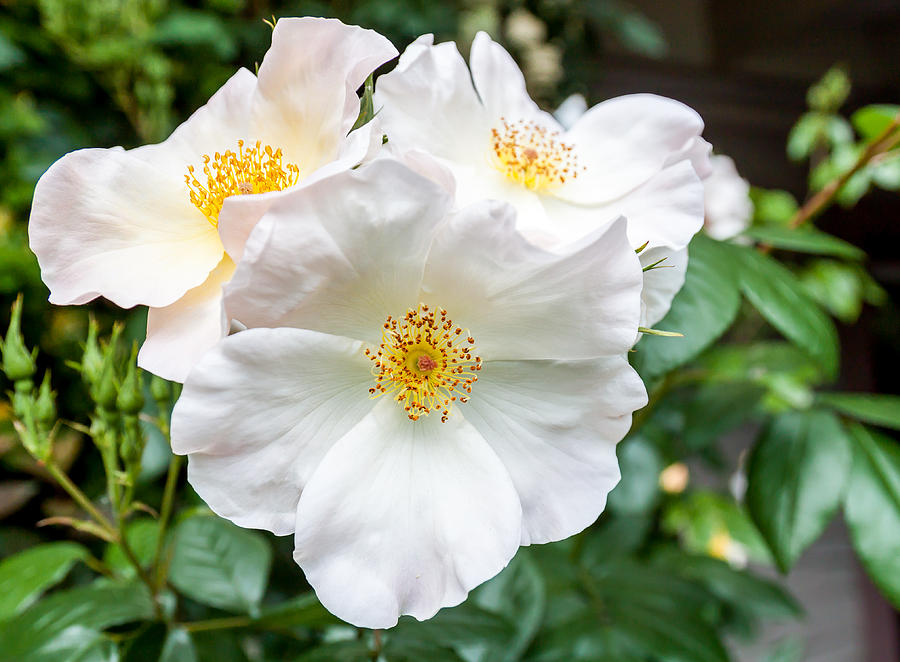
(532, 155)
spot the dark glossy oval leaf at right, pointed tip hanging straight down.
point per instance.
(796, 474)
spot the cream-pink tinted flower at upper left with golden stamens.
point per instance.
(156, 226)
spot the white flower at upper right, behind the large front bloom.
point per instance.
(635, 156)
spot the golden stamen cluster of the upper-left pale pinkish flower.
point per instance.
(257, 169)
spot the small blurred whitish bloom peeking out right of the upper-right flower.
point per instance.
(728, 206)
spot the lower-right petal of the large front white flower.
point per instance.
(555, 425)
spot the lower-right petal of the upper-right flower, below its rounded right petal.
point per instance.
(666, 211)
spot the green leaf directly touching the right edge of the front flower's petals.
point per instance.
(702, 311)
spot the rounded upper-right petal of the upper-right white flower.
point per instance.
(623, 142)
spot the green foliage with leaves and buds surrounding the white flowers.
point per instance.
(134, 567)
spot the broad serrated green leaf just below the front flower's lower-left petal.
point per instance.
(220, 564)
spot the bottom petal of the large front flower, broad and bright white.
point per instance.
(405, 517)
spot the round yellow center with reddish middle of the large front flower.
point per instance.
(425, 362)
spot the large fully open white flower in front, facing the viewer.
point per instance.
(437, 391)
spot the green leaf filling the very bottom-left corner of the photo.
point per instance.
(68, 623)
